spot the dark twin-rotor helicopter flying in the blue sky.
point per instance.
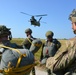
(33, 21)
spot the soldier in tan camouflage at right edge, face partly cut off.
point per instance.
(64, 63)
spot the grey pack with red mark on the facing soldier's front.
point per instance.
(49, 49)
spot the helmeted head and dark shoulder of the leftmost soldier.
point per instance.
(6, 36)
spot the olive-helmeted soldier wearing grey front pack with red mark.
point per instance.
(50, 47)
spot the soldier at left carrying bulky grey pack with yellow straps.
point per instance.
(14, 61)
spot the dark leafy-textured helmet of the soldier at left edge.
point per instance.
(4, 31)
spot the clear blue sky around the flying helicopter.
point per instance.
(56, 20)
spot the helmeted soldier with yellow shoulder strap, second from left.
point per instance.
(28, 42)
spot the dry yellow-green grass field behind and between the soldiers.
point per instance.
(37, 55)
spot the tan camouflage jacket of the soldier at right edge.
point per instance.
(64, 58)
